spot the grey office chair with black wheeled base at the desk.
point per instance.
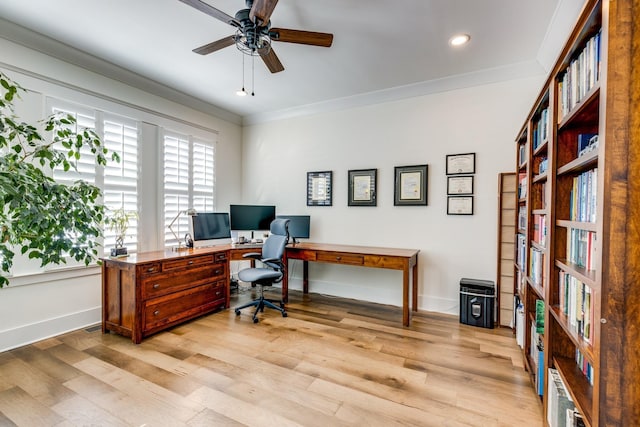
(273, 270)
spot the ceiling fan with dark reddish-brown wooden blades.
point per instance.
(254, 33)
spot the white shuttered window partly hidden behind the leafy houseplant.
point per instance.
(118, 181)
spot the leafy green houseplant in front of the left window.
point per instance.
(39, 217)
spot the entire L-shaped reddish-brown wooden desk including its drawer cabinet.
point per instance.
(148, 292)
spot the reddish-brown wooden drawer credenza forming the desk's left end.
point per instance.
(148, 292)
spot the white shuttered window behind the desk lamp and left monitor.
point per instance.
(189, 182)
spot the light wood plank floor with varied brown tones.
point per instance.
(332, 362)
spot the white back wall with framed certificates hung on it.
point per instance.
(422, 130)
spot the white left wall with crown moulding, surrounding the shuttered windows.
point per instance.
(37, 306)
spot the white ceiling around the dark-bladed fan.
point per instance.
(380, 46)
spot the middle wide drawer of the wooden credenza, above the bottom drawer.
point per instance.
(162, 284)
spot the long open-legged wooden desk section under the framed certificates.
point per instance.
(363, 256)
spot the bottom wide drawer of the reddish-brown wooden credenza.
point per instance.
(192, 302)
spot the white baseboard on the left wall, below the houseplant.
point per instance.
(27, 334)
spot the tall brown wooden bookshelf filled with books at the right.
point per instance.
(577, 239)
